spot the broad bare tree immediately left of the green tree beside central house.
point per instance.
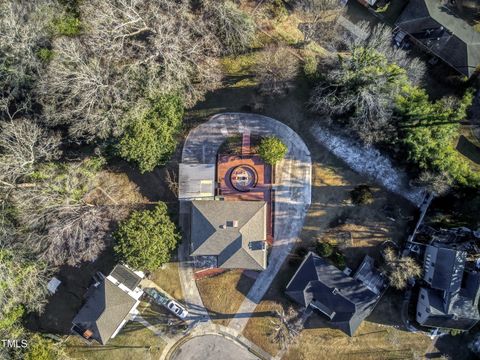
(62, 222)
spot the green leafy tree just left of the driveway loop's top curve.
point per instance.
(150, 138)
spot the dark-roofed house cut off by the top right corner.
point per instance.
(436, 26)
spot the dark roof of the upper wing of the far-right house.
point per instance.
(443, 267)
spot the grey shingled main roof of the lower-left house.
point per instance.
(106, 307)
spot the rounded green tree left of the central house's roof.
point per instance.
(146, 239)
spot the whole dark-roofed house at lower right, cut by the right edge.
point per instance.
(451, 300)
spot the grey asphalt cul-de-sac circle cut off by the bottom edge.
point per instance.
(211, 347)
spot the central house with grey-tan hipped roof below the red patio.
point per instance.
(233, 232)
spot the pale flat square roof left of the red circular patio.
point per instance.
(196, 181)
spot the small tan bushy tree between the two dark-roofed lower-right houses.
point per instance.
(400, 269)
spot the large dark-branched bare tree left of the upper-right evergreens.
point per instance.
(359, 88)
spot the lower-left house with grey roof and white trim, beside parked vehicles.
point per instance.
(110, 303)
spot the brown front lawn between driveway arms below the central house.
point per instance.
(222, 294)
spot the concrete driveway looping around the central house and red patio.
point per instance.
(292, 192)
